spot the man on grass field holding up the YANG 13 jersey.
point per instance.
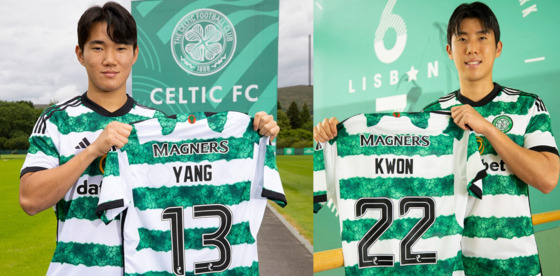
(64, 167)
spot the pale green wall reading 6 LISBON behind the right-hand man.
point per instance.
(389, 55)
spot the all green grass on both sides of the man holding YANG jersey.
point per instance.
(28, 242)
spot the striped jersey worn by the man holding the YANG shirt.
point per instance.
(85, 245)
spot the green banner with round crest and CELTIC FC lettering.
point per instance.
(207, 55)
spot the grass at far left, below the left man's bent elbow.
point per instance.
(27, 242)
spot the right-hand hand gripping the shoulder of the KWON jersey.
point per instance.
(469, 119)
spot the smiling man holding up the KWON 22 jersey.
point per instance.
(514, 128)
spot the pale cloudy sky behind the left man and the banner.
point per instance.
(38, 39)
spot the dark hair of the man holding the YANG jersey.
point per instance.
(121, 26)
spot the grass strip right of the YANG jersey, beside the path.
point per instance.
(296, 172)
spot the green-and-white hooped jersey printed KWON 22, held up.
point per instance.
(400, 184)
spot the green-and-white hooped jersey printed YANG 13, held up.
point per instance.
(193, 191)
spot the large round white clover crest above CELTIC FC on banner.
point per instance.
(203, 42)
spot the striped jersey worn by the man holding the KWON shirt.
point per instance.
(499, 237)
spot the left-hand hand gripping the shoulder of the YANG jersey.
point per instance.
(115, 134)
